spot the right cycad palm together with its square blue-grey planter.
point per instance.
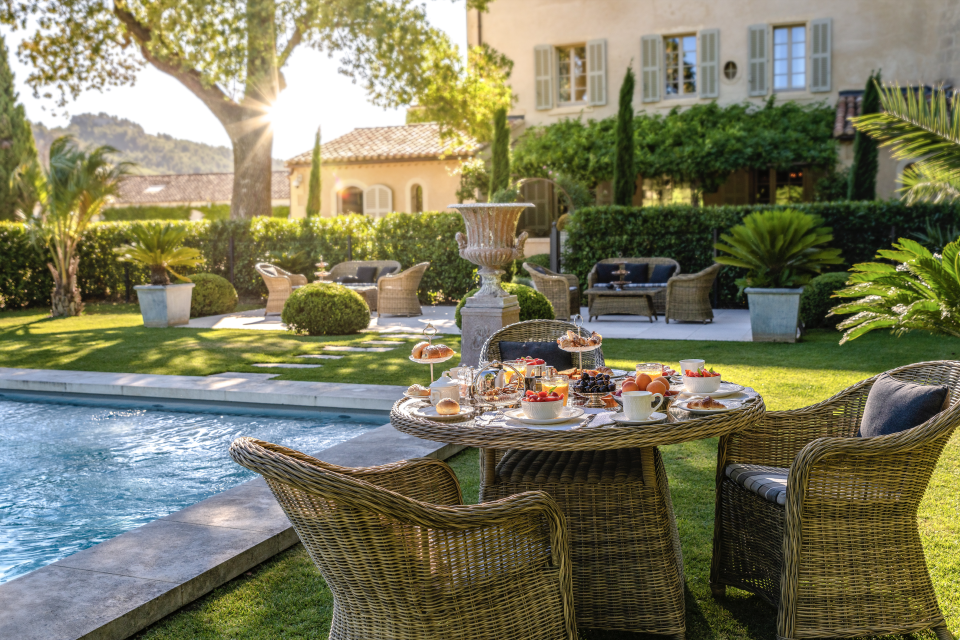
(781, 251)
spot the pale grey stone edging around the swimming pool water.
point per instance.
(116, 588)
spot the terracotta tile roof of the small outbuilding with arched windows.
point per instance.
(403, 142)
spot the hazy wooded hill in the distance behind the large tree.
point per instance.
(154, 154)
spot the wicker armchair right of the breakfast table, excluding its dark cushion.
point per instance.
(842, 555)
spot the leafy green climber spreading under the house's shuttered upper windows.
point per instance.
(700, 146)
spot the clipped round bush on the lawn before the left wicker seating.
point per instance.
(325, 309)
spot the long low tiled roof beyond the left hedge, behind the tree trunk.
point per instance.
(194, 187)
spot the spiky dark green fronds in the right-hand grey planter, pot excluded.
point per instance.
(780, 249)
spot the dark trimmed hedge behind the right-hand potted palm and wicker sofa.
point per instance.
(685, 233)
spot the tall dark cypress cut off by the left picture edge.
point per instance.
(16, 138)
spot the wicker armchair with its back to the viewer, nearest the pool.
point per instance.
(405, 560)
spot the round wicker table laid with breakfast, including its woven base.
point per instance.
(611, 484)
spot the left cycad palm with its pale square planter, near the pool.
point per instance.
(157, 246)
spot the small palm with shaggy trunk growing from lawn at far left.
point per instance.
(58, 203)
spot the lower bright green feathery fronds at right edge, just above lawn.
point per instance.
(921, 291)
